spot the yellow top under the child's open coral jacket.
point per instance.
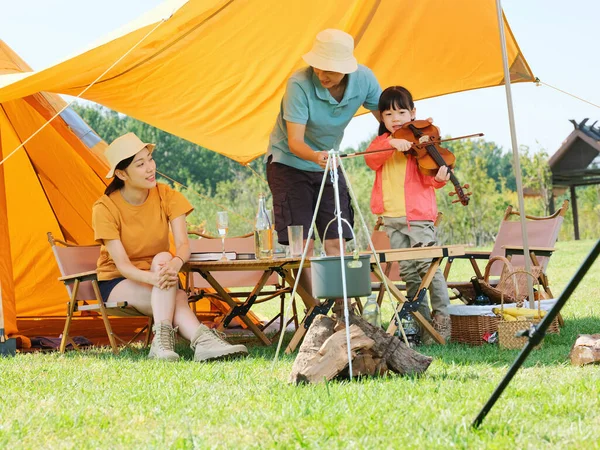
(392, 184)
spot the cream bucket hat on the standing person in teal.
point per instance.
(332, 51)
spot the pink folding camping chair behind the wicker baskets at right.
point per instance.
(542, 233)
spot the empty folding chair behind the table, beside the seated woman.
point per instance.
(235, 281)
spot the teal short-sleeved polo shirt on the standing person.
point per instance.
(307, 102)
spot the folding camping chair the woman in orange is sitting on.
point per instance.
(77, 265)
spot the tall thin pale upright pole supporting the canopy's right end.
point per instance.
(515, 147)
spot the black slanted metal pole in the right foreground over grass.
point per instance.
(537, 333)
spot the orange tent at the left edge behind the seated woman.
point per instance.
(49, 185)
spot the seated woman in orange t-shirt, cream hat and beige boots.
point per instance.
(131, 222)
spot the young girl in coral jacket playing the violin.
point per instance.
(405, 199)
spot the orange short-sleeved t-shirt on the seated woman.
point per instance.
(142, 229)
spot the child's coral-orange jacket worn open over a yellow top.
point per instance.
(419, 189)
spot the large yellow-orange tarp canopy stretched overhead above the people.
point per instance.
(214, 71)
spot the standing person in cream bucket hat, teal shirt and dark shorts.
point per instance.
(319, 102)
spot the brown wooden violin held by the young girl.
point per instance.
(430, 155)
